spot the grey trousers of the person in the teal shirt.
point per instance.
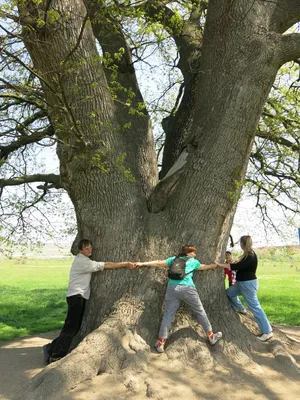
(188, 294)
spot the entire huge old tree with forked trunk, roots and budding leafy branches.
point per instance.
(77, 85)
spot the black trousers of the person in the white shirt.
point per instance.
(60, 346)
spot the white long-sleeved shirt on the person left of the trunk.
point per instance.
(80, 275)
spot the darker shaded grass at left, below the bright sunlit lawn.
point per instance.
(25, 312)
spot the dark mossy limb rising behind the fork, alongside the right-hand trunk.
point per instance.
(187, 35)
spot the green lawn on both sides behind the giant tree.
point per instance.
(32, 292)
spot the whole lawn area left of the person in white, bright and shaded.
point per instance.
(32, 296)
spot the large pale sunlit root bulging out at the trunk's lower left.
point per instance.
(111, 347)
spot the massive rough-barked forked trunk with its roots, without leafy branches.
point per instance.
(109, 171)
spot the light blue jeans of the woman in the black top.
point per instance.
(248, 289)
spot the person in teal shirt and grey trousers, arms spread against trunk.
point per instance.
(182, 290)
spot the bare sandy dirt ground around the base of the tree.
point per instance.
(163, 379)
